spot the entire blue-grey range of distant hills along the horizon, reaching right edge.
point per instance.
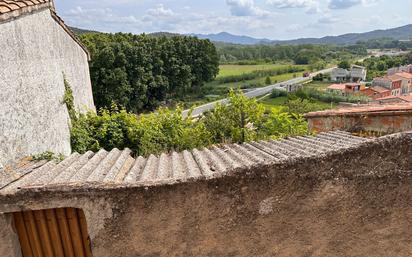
(400, 33)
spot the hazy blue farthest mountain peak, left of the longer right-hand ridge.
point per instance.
(225, 37)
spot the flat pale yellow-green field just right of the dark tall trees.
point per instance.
(231, 70)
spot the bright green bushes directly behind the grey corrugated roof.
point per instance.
(242, 120)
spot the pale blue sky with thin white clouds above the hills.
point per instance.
(272, 19)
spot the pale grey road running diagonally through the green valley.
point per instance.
(255, 93)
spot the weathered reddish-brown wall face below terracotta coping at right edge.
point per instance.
(384, 122)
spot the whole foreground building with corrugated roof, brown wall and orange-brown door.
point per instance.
(335, 194)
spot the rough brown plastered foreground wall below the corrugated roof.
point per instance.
(354, 203)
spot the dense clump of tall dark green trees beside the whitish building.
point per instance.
(139, 72)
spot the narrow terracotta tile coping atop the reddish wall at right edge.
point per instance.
(400, 107)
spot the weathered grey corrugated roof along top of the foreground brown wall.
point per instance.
(117, 168)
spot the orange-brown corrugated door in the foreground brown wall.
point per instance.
(53, 233)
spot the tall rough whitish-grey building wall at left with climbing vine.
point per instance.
(35, 51)
